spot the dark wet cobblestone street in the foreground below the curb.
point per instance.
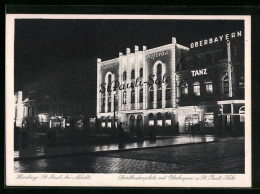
(216, 157)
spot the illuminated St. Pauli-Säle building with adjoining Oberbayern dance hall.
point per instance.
(172, 88)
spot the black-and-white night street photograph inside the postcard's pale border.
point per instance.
(129, 96)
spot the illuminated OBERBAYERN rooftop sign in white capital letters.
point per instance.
(224, 37)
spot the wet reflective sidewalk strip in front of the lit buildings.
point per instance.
(37, 152)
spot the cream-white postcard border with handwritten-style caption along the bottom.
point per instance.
(242, 180)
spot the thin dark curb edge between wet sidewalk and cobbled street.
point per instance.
(107, 151)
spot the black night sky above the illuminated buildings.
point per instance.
(56, 44)
